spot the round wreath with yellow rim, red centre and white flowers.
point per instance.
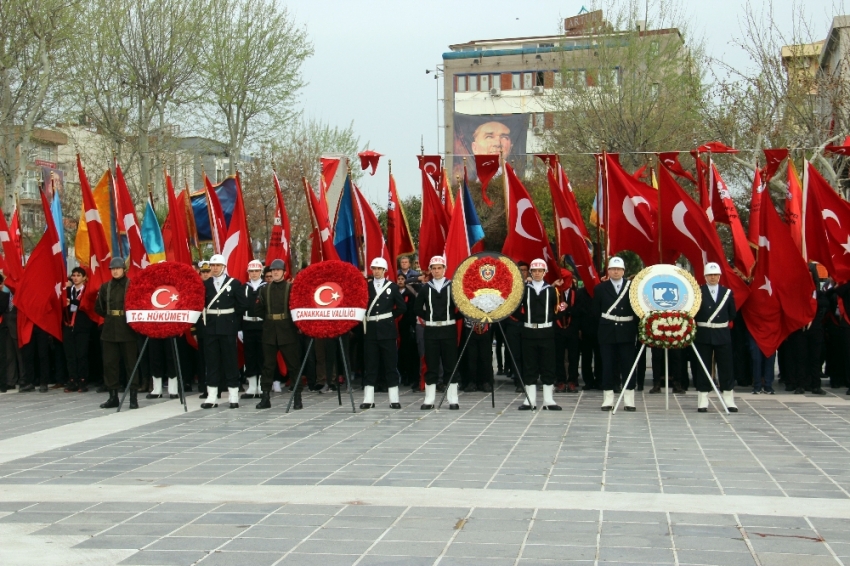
(490, 288)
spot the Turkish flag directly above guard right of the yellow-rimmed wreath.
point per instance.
(527, 239)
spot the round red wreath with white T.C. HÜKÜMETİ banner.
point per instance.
(163, 299)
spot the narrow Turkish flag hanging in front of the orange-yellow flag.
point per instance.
(99, 254)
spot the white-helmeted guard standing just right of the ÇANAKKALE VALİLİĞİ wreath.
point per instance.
(380, 349)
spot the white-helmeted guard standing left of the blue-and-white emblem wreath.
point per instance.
(617, 333)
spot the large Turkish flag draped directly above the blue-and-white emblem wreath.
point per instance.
(688, 230)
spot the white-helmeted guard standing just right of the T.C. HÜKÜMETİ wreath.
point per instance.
(225, 305)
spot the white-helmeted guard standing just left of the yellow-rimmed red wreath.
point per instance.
(435, 306)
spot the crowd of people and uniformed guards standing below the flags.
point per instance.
(414, 336)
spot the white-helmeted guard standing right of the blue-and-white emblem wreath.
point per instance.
(714, 338)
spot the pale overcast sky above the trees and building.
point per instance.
(371, 56)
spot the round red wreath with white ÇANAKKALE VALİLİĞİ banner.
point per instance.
(328, 299)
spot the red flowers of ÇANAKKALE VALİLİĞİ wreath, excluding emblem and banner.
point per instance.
(306, 287)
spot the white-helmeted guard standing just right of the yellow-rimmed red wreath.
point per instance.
(540, 305)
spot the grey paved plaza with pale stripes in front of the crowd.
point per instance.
(322, 486)
